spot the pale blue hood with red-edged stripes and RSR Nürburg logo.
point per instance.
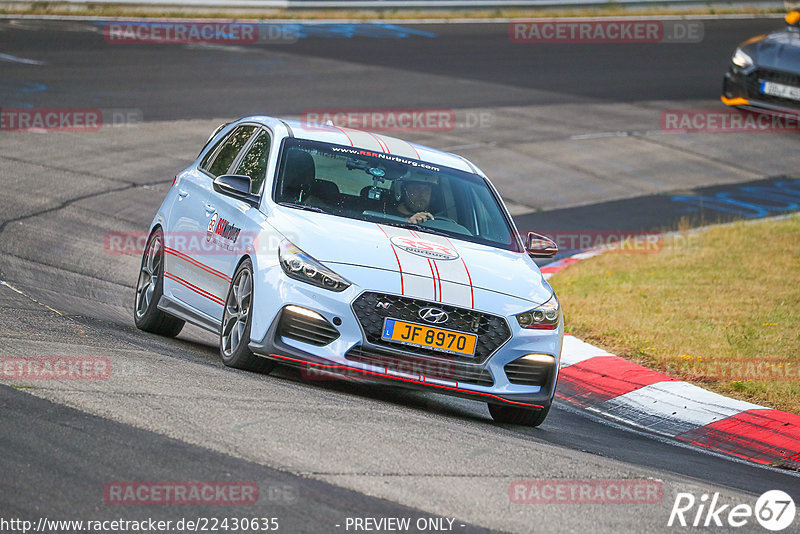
(429, 266)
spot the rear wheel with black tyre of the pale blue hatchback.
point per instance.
(150, 287)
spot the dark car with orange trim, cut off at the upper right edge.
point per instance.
(765, 71)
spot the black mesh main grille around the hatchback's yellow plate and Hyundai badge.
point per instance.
(492, 330)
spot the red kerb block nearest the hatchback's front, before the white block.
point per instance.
(601, 378)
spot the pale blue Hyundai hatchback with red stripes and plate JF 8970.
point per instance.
(342, 251)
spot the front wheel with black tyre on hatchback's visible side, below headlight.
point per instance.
(234, 335)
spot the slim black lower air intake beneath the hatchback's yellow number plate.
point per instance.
(410, 365)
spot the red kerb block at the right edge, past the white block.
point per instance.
(761, 435)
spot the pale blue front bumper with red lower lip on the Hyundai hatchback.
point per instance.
(352, 354)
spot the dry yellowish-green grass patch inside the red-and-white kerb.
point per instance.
(729, 294)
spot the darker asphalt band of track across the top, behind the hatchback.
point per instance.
(453, 66)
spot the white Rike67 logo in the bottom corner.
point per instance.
(774, 510)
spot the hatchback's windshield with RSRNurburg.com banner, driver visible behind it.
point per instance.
(388, 189)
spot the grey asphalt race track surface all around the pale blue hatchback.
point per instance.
(571, 135)
